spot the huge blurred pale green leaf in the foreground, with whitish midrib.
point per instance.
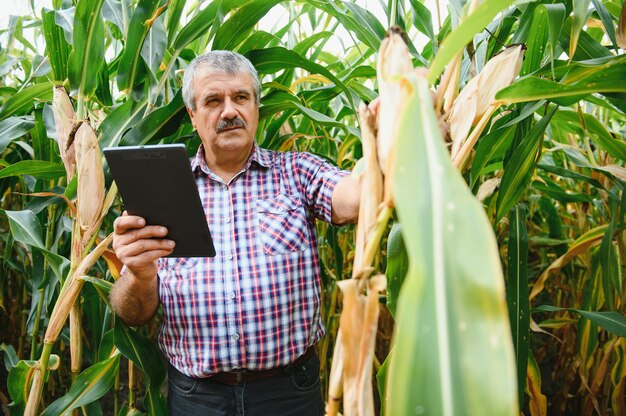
(453, 336)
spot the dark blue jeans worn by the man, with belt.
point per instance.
(296, 392)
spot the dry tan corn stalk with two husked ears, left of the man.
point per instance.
(91, 208)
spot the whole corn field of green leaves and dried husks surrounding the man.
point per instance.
(485, 276)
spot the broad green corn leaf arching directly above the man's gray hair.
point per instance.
(234, 30)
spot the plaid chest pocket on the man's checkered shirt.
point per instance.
(283, 226)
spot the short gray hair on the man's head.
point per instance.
(218, 61)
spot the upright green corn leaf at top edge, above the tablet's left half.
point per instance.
(131, 67)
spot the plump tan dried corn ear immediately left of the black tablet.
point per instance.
(90, 177)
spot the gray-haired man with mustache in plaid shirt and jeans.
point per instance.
(238, 329)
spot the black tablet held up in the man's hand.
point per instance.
(156, 183)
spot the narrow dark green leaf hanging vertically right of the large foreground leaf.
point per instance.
(517, 292)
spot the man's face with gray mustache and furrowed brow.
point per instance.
(226, 115)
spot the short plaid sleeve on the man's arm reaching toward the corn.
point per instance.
(318, 178)
